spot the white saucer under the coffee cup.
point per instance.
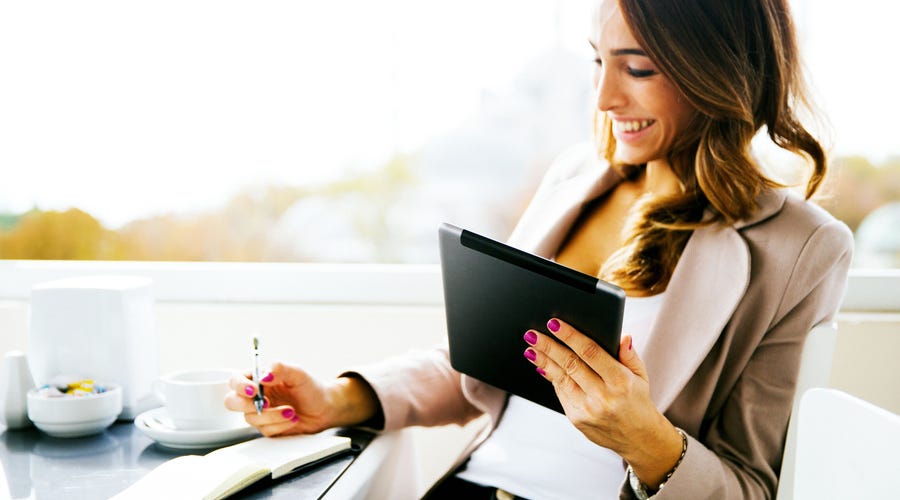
(157, 425)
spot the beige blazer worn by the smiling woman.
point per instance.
(723, 354)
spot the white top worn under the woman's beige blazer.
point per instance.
(537, 453)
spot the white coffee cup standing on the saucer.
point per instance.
(195, 399)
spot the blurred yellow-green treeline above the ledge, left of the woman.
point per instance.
(240, 231)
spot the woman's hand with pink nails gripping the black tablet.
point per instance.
(607, 400)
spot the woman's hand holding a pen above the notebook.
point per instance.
(297, 403)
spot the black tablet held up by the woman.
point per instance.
(494, 293)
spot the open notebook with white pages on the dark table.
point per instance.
(228, 470)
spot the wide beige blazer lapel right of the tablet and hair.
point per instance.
(705, 289)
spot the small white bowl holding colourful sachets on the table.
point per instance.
(71, 416)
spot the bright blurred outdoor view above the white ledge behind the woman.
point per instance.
(339, 131)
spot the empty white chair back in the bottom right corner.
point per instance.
(846, 448)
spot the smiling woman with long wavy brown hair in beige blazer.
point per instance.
(725, 273)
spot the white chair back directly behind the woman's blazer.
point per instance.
(815, 370)
